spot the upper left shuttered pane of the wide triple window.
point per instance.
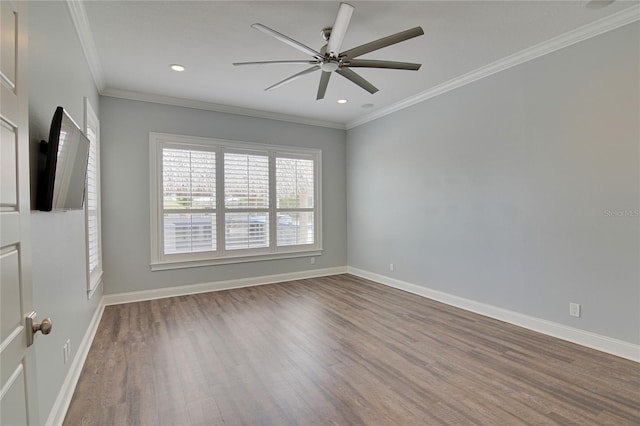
(189, 179)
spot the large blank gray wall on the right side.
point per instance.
(520, 190)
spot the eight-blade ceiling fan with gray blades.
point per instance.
(330, 59)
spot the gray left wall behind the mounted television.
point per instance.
(58, 75)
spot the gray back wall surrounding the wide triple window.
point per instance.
(125, 127)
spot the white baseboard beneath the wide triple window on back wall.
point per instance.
(160, 293)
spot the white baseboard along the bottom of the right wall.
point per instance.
(585, 338)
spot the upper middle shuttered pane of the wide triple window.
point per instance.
(246, 181)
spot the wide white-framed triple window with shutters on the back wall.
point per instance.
(215, 201)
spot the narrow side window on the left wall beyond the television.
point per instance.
(92, 201)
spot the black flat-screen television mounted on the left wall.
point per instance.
(62, 167)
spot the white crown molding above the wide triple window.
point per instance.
(209, 106)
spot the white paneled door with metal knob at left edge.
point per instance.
(17, 372)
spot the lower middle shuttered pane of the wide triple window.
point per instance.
(246, 230)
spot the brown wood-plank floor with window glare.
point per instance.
(339, 350)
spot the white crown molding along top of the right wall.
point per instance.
(601, 26)
